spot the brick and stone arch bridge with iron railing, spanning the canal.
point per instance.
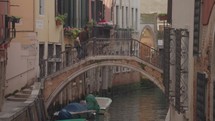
(127, 53)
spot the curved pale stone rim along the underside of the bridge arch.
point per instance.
(95, 65)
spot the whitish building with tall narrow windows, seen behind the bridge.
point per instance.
(126, 17)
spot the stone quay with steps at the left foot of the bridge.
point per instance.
(26, 105)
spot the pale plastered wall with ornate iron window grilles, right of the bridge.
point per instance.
(181, 80)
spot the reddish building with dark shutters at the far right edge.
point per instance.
(203, 50)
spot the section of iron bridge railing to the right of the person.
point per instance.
(126, 47)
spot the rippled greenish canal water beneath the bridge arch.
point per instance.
(139, 102)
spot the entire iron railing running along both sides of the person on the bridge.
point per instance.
(101, 47)
